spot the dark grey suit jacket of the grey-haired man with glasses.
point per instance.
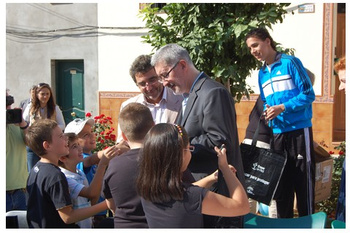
(210, 120)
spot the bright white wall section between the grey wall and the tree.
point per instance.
(119, 48)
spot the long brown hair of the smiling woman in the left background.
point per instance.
(51, 105)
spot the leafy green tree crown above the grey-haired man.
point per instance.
(214, 34)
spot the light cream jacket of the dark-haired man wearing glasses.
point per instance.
(173, 106)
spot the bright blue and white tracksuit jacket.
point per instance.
(287, 83)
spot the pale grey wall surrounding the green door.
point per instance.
(28, 59)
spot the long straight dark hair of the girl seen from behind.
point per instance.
(159, 178)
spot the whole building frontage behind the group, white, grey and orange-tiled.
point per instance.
(84, 51)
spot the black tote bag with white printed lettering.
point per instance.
(263, 169)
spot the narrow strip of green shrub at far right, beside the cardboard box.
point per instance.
(329, 206)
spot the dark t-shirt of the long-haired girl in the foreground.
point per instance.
(177, 214)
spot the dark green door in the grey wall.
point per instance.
(70, 88)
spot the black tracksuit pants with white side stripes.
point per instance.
(299, 173)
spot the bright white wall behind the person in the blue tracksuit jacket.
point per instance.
(304, 33)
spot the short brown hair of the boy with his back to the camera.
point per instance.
(135, 120)
